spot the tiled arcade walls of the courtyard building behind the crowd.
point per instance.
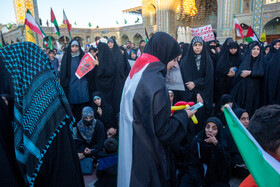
(160, 15)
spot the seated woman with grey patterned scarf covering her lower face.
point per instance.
(90, 135)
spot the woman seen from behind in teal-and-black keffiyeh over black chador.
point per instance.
(42, 120)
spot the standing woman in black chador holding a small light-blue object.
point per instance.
(226, 69)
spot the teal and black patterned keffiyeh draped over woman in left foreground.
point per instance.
(40, 106)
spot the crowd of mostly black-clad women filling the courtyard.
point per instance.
(119, 113)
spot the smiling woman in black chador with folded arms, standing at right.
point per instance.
(247, 83)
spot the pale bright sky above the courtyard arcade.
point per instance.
(104, 13)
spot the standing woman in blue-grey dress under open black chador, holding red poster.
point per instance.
(78, 91)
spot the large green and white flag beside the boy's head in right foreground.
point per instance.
(263, 167)
